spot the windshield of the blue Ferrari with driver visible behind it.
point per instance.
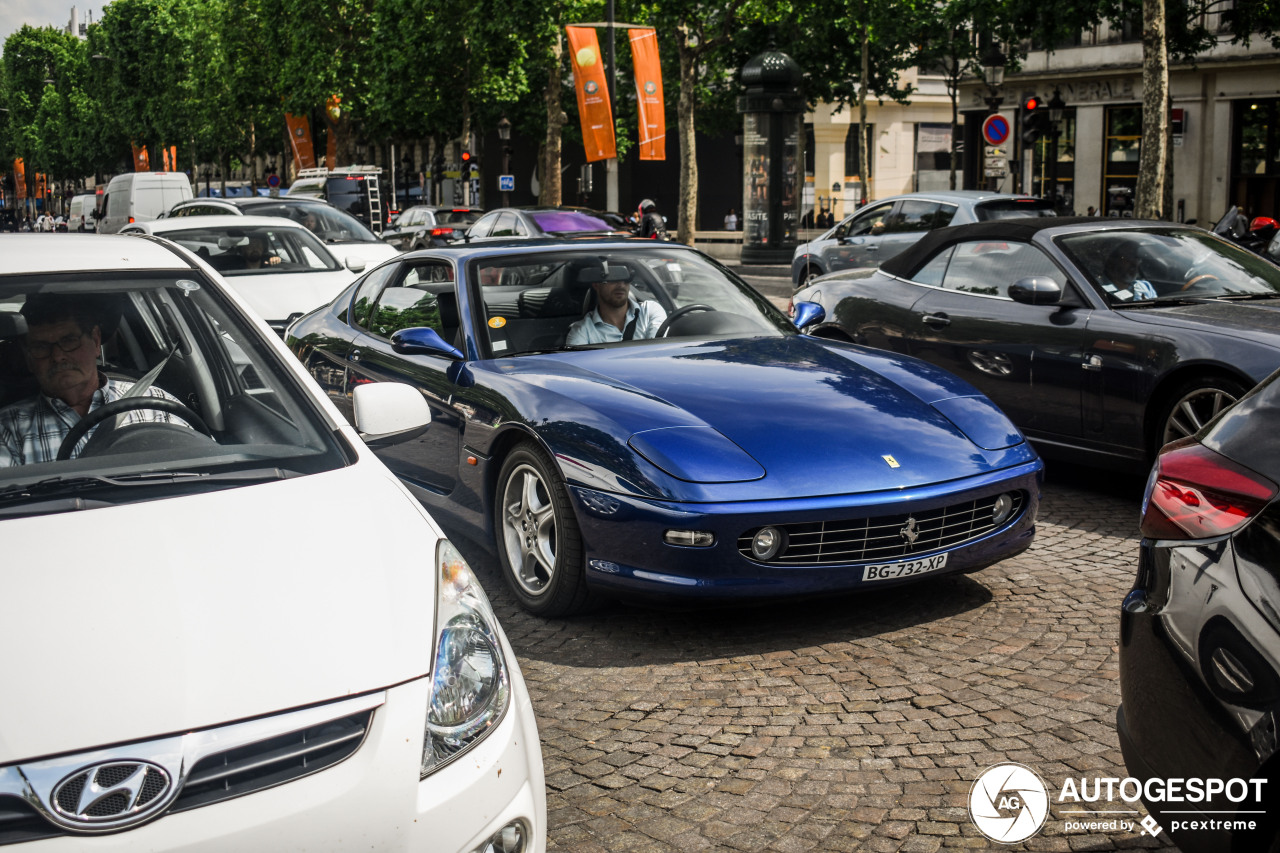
(540, 302)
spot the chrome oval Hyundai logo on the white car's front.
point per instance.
(112, 795)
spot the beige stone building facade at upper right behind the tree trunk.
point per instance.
(1226, 124)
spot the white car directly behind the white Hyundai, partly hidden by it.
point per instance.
(277, 266)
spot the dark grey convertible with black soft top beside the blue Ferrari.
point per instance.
(1104, 340)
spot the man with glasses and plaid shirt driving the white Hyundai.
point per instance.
(62, 348)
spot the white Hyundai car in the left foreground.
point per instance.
(231, 628)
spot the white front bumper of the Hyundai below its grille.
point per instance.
(374, 800)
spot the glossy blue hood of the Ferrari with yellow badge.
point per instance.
(794, 414)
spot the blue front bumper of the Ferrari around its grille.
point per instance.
(627, 551)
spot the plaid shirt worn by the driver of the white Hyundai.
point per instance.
(34, 430)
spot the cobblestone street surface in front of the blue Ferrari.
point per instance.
(854, 723)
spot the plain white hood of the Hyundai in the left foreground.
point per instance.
(158, 618)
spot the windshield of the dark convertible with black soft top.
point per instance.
(1154, 264)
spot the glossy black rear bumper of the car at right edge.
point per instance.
(1171, 724)
